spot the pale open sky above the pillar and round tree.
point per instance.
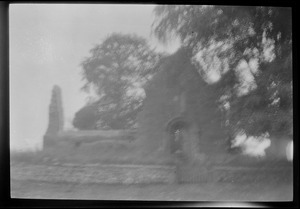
(47, 44)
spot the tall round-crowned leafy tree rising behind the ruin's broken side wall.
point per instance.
(117, 70)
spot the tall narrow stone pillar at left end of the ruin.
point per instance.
(56, 120)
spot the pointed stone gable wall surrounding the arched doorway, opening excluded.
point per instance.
(178, 90)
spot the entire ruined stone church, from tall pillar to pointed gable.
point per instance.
(178, 105)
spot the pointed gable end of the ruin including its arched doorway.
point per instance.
(179, 99)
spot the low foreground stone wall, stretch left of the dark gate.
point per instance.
(125, 174)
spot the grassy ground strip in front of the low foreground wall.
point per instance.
(162, 192)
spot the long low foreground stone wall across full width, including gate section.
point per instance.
(143, 174)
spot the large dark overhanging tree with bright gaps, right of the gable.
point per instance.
(246, 52)
